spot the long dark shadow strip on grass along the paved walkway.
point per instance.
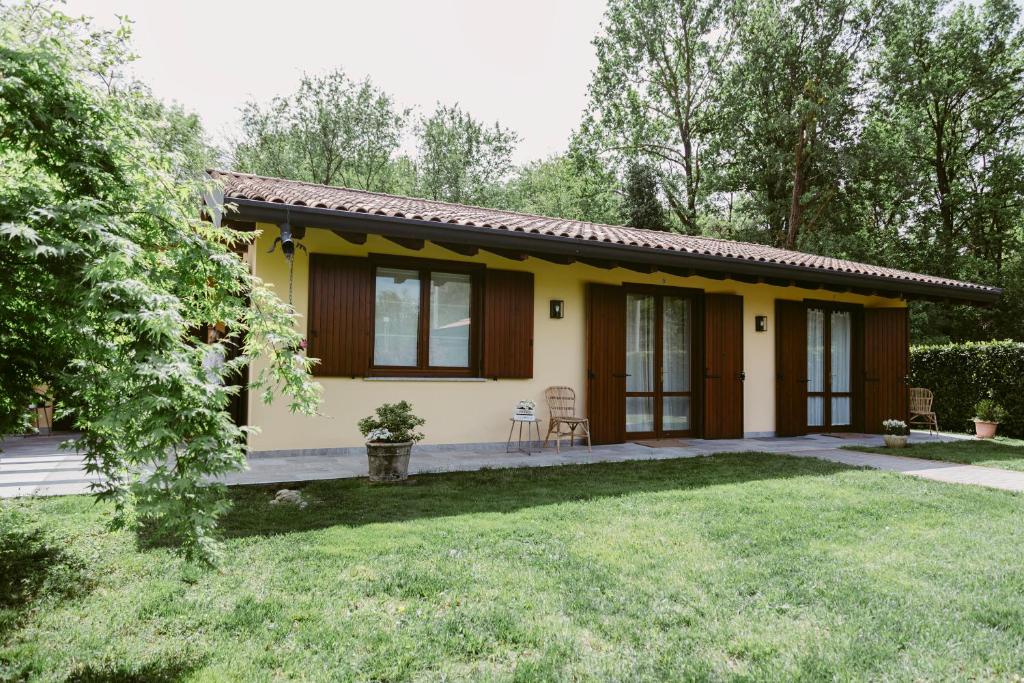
(356, 502)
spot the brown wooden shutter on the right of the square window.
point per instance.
(508, 325)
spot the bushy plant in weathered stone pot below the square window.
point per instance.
(391, 436)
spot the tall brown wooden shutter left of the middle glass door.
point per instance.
(607, 364)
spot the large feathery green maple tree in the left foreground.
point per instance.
(106, 269)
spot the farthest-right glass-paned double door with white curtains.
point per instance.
(830, 369)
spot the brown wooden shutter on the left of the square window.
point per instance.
(342, 305)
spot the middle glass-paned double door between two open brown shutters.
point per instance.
(659, 365)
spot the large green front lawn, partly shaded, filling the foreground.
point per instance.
(735, 567)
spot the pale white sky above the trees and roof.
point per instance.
(526, 64)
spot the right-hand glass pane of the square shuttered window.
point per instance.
(450, 320)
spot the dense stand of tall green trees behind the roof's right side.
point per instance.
(881, 132)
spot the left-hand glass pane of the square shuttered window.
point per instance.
(397, 318)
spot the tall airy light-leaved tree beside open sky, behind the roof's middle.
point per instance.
(655, 94)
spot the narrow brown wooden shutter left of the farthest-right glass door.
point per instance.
(791, 368)
